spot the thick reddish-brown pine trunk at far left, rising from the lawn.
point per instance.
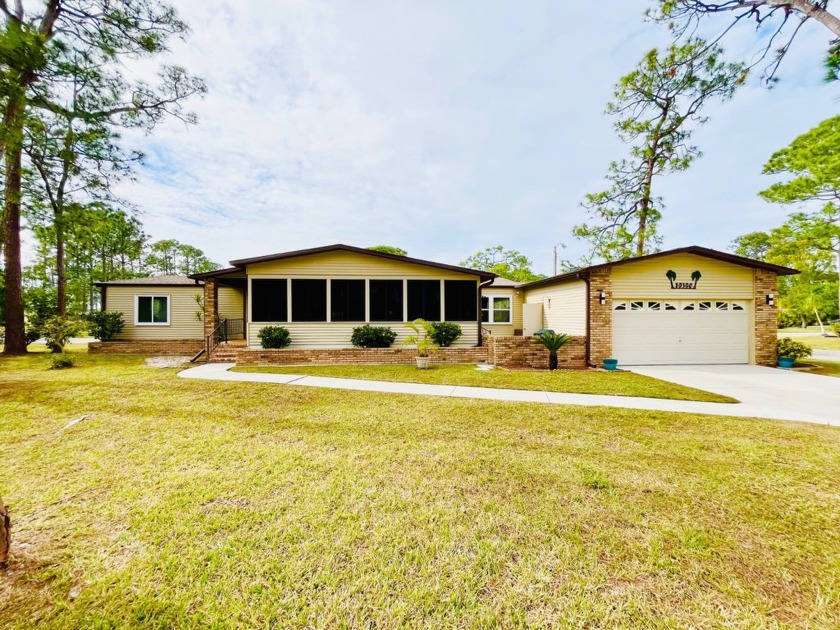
(15, 330)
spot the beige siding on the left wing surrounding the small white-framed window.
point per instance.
(183, 323)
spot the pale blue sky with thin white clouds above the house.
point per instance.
(441, 127)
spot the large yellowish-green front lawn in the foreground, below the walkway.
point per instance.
(181, 503)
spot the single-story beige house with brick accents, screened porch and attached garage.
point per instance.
(691, 305)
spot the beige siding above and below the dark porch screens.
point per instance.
(349, 265)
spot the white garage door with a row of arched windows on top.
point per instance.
(654, 332)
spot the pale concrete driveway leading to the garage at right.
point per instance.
(771, 392)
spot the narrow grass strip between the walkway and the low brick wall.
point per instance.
(572, 381)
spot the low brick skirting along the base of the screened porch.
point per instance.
(354, 356)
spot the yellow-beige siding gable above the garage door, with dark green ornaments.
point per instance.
(646, 279)
